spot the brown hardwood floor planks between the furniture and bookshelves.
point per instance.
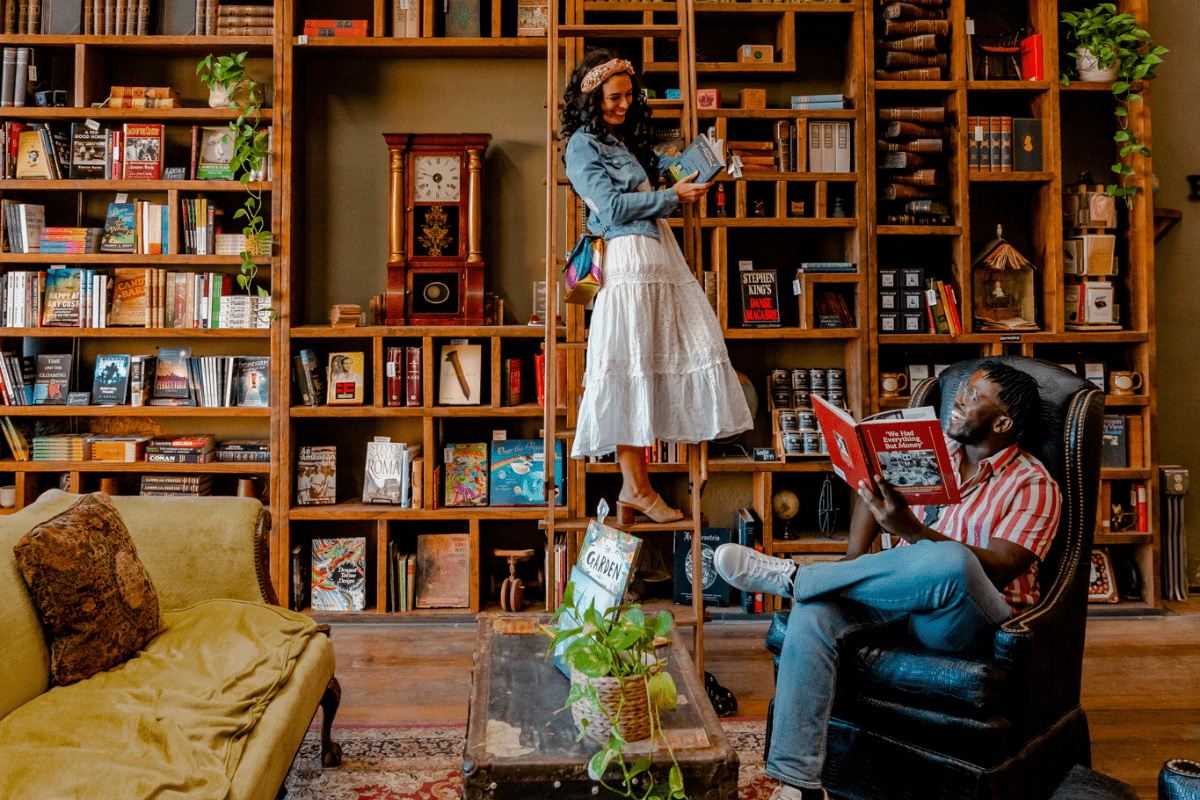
(1142, 682)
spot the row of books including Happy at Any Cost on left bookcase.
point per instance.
(134, 298)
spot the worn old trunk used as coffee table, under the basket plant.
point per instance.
(521, 739)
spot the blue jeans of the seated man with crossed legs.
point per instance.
(941, 590)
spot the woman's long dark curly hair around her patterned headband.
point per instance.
(581, 111)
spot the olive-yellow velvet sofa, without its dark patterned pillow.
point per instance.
(122, 733)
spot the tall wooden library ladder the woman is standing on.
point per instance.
(563, 226)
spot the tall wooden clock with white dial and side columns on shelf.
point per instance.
(436, 218)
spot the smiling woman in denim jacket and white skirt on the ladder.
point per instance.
(657, 365)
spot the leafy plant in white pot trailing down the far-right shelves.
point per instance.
(1113, 46)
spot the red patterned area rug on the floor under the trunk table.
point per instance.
(423, 763)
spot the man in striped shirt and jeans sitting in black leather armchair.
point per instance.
(967, 570)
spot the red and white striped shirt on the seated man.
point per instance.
(1011, 497)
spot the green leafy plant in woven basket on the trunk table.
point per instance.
(619, 688)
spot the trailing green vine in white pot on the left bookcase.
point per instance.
(250, 154)
